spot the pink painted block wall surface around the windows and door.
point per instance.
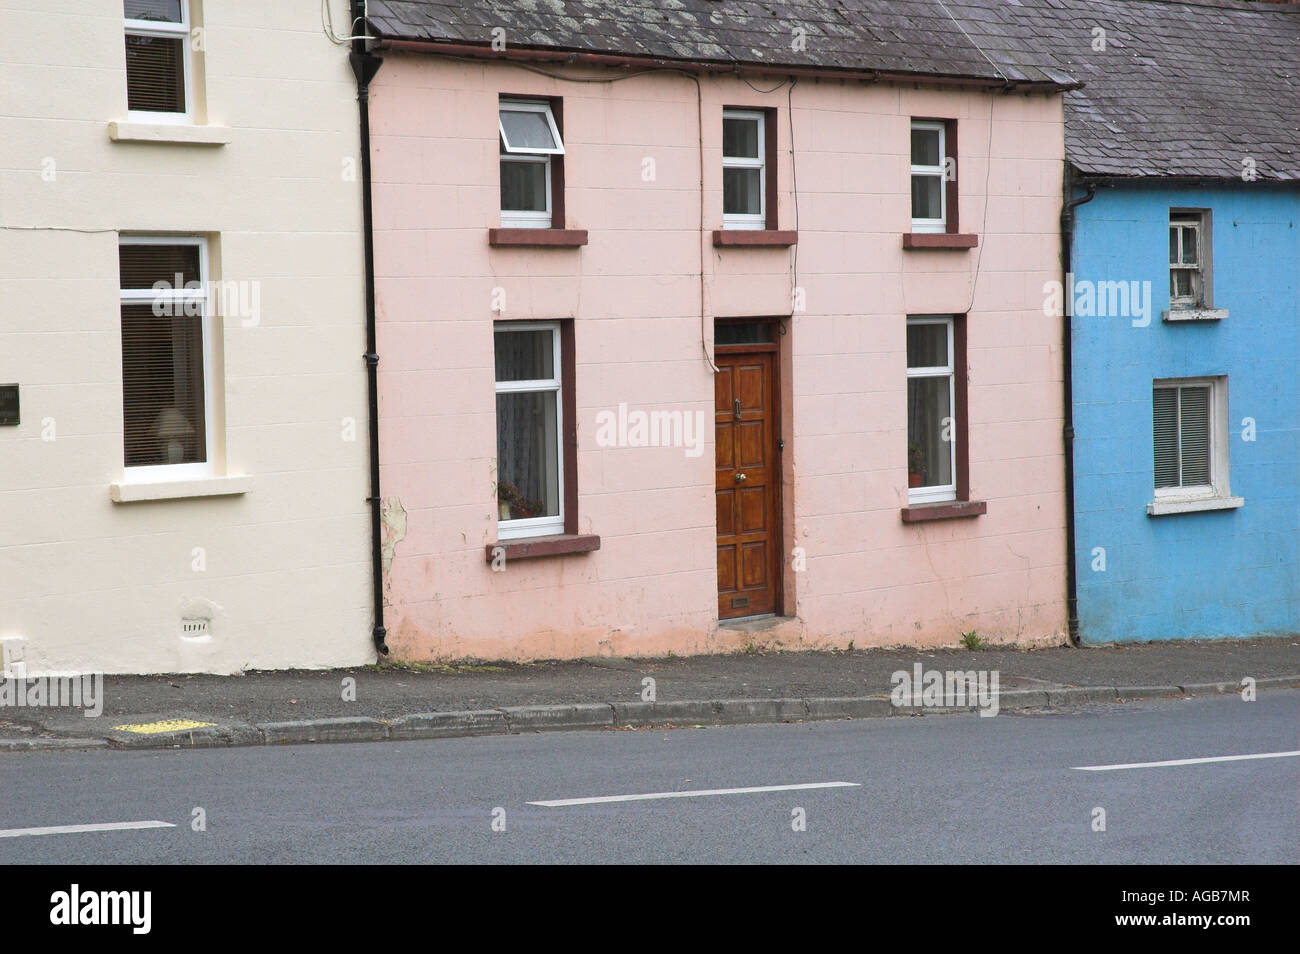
(634, 293)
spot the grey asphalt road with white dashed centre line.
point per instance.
(946, 790)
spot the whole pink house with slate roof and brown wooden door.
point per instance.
(700, 331)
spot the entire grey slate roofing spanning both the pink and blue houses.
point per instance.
(1184, 89)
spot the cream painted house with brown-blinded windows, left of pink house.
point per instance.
(183, 465)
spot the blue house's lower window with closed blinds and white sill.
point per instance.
(1190, 445)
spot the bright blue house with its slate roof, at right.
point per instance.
(1184, 235)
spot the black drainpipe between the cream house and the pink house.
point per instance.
(366, 66)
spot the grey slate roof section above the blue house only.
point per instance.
(1182, 89)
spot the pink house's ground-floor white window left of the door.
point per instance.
(530, 427)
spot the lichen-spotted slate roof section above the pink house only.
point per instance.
(915, 37)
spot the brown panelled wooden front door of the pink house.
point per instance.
(748, 483)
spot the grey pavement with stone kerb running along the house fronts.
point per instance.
(396, 703)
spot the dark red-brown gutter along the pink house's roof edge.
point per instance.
(627, 62)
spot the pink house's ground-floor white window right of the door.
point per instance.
(931, 410)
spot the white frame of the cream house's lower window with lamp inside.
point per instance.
(153, 474)
